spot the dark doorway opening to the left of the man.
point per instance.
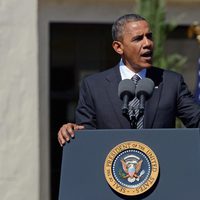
(76, 50)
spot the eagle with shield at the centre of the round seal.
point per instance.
(131, 166)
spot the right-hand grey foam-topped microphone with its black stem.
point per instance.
(144, 91)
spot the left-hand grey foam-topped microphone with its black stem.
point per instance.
(126, 92)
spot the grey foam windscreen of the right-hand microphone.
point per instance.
(145, 86)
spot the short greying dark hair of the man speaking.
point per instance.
(118, 26)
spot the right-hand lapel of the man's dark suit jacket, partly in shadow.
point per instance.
(152, 103)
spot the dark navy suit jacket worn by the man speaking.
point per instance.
(100, 107)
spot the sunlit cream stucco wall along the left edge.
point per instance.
(19, 130)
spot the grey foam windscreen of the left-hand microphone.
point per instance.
(126, 86)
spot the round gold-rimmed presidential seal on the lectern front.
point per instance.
(131, 168)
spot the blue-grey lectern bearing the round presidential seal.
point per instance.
(83, 174)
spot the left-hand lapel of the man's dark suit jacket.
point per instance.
(113, 80)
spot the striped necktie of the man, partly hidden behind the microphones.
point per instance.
(136, 119)
